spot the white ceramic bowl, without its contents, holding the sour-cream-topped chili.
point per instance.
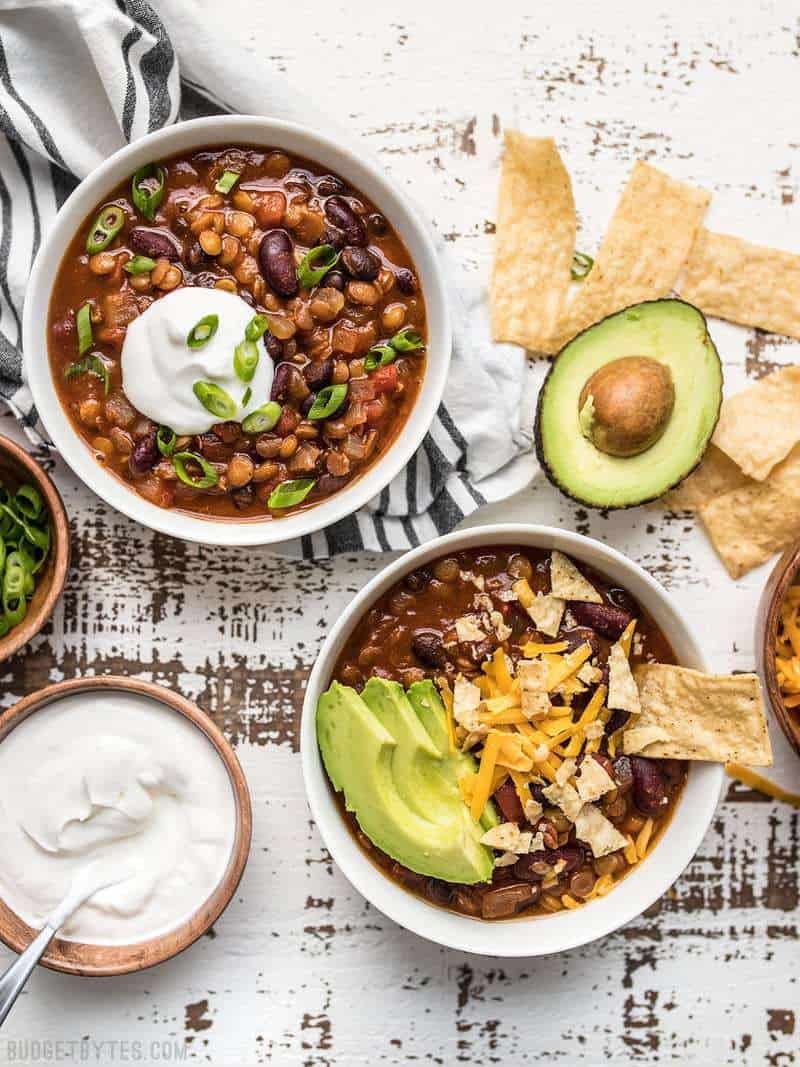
(220, 131)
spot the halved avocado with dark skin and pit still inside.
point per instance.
(601, 392)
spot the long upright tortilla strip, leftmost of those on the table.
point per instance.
(536, 240)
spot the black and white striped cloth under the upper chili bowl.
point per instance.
(77, 81)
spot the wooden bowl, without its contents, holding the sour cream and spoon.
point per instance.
(75, 958)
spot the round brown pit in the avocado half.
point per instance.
(627, 405)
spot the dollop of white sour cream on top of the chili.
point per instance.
(161, 370)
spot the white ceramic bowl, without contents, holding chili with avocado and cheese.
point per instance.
(537, 936)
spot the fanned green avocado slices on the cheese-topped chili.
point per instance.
(403, 791)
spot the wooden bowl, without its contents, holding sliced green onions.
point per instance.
(18, 468)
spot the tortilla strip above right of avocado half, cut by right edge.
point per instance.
(750, 284)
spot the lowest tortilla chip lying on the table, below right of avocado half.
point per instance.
(751, 524)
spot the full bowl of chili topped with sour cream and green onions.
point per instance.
(343, 299)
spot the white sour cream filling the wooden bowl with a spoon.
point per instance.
(116, 783)
